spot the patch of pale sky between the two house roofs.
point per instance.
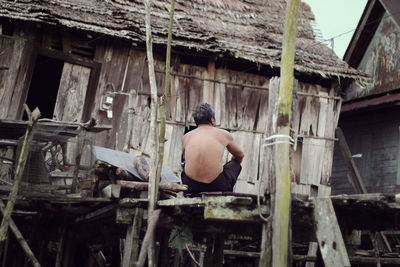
(338, 19)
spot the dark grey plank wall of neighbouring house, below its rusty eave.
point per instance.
(375, 135)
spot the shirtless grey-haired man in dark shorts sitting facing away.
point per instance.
(203, 149)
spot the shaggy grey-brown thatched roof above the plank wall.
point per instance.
(251, 30)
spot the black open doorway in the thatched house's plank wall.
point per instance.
(44, 85)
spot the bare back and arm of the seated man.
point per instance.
(203, 149)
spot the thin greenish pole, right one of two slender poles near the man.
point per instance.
(164, 98)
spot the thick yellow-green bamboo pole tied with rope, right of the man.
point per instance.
(280, 224)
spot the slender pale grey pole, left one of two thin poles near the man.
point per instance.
(153, 182)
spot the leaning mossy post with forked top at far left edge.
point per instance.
(33, 118)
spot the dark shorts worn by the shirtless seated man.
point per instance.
(223, 183)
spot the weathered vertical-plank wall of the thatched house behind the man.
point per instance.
(240, 100)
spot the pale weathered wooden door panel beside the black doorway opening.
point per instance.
(72, 93)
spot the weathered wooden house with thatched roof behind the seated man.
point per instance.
(77, 60)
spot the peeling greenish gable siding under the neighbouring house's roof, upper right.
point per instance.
(381, 61)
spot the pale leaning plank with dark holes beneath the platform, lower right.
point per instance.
(331, 243)
